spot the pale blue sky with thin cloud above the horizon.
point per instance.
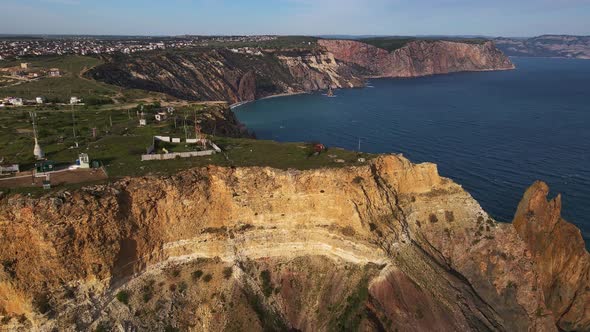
(309, 17)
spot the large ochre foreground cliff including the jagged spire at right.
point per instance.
(390, 246)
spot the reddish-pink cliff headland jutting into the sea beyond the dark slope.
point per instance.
(420, 58)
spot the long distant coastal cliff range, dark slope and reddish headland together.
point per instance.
(234, 76)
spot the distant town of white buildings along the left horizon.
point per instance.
(13, 48)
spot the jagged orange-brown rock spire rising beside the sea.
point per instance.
(560, 255)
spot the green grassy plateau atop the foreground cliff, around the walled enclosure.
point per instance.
(119, 146)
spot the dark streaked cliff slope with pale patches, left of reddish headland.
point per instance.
(223, 75)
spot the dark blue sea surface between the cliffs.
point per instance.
(495, 133)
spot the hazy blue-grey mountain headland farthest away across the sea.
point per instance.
(554, 46)
